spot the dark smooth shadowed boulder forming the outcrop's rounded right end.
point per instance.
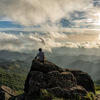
(83, 79)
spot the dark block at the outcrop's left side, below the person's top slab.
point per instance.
(34, 79)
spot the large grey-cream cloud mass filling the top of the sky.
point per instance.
(34, 12)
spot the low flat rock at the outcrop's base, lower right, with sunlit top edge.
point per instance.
(68, 93)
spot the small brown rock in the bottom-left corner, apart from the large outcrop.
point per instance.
(6, 93)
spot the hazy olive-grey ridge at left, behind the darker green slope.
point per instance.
(15, 66)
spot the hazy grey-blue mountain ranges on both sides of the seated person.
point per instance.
(80, 61)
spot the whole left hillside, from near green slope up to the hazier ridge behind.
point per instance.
(13, 73)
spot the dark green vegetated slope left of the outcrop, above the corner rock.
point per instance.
(13, 80)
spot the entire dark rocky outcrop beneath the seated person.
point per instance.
(62, 83)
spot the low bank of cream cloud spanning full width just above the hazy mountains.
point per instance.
(28, 42)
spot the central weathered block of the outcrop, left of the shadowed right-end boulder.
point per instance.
(55, 79)
